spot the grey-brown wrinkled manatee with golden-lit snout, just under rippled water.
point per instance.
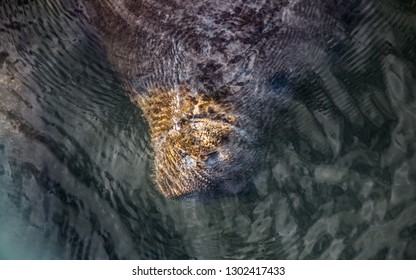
(211, 76)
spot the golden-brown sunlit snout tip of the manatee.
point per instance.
(200, 148)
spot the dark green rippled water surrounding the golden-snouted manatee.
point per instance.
(337, 181)
